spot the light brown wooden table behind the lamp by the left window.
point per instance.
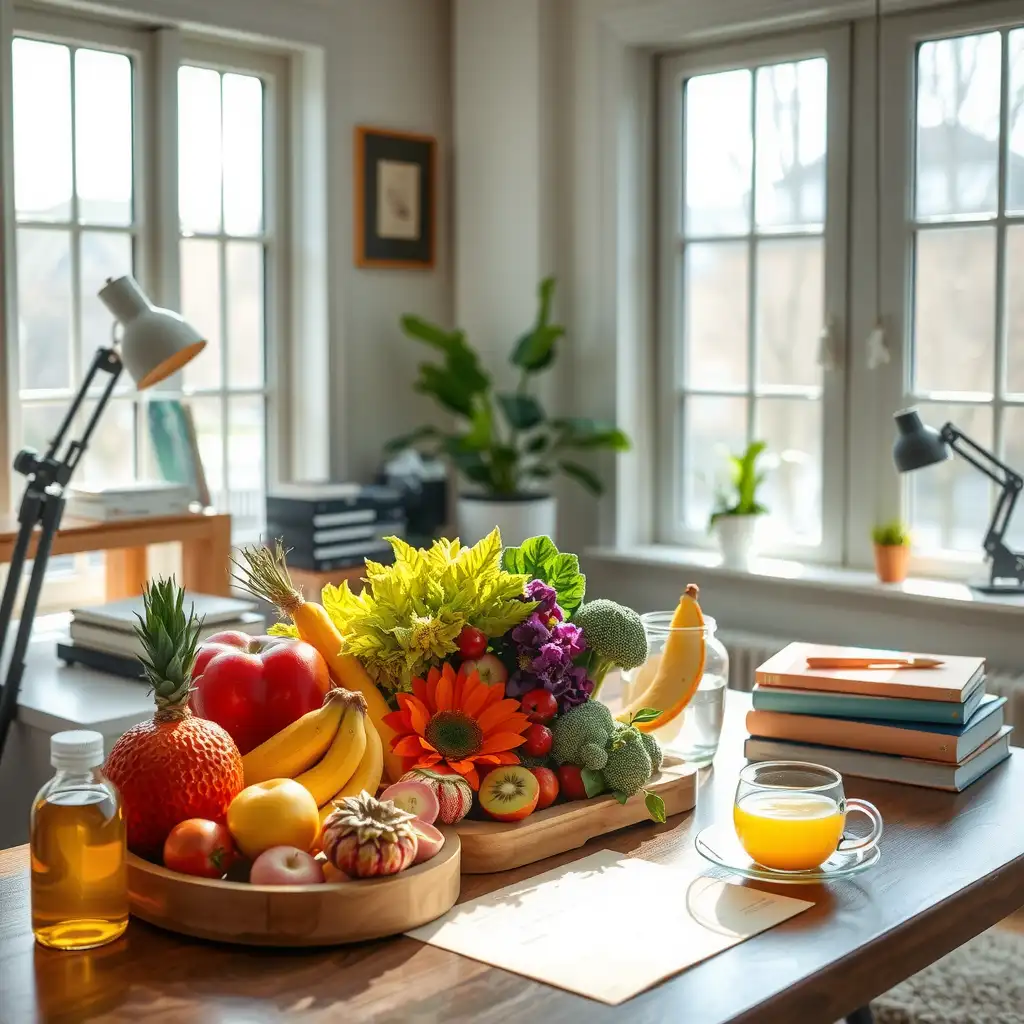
(205, 540)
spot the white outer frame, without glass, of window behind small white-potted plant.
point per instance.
(834, 45)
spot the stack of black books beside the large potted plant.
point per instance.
(335, 526)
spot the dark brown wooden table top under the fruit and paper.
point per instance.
(952, 866)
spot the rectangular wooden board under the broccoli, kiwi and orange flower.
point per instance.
(499, 846)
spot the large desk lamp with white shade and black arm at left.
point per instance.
(153, 346)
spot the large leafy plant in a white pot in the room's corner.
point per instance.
(504, 445)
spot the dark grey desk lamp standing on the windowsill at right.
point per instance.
(919, 446)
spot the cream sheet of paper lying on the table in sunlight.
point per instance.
(654, 920)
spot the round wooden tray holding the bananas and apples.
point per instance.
(296, 916)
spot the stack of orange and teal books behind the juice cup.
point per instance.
(935, 728)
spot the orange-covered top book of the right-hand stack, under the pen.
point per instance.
(951, 681)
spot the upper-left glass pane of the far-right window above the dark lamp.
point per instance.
(959, 126)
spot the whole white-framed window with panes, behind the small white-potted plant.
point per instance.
(753, 282)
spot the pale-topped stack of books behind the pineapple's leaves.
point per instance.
(103, 636)
